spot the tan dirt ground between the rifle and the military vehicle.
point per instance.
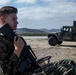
(67, 50)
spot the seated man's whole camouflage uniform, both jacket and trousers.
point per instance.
(10, 62)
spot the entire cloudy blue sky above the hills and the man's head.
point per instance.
(43, 14)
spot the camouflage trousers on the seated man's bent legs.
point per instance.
(62, 67)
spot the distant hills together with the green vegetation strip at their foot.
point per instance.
(37, 32)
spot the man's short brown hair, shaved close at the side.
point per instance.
(6, 10)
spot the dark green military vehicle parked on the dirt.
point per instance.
(67, 33)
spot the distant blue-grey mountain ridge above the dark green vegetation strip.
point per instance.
(28, 30)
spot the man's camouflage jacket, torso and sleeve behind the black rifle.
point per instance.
(8, 60)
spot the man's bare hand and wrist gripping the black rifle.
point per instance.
(18, 45)
